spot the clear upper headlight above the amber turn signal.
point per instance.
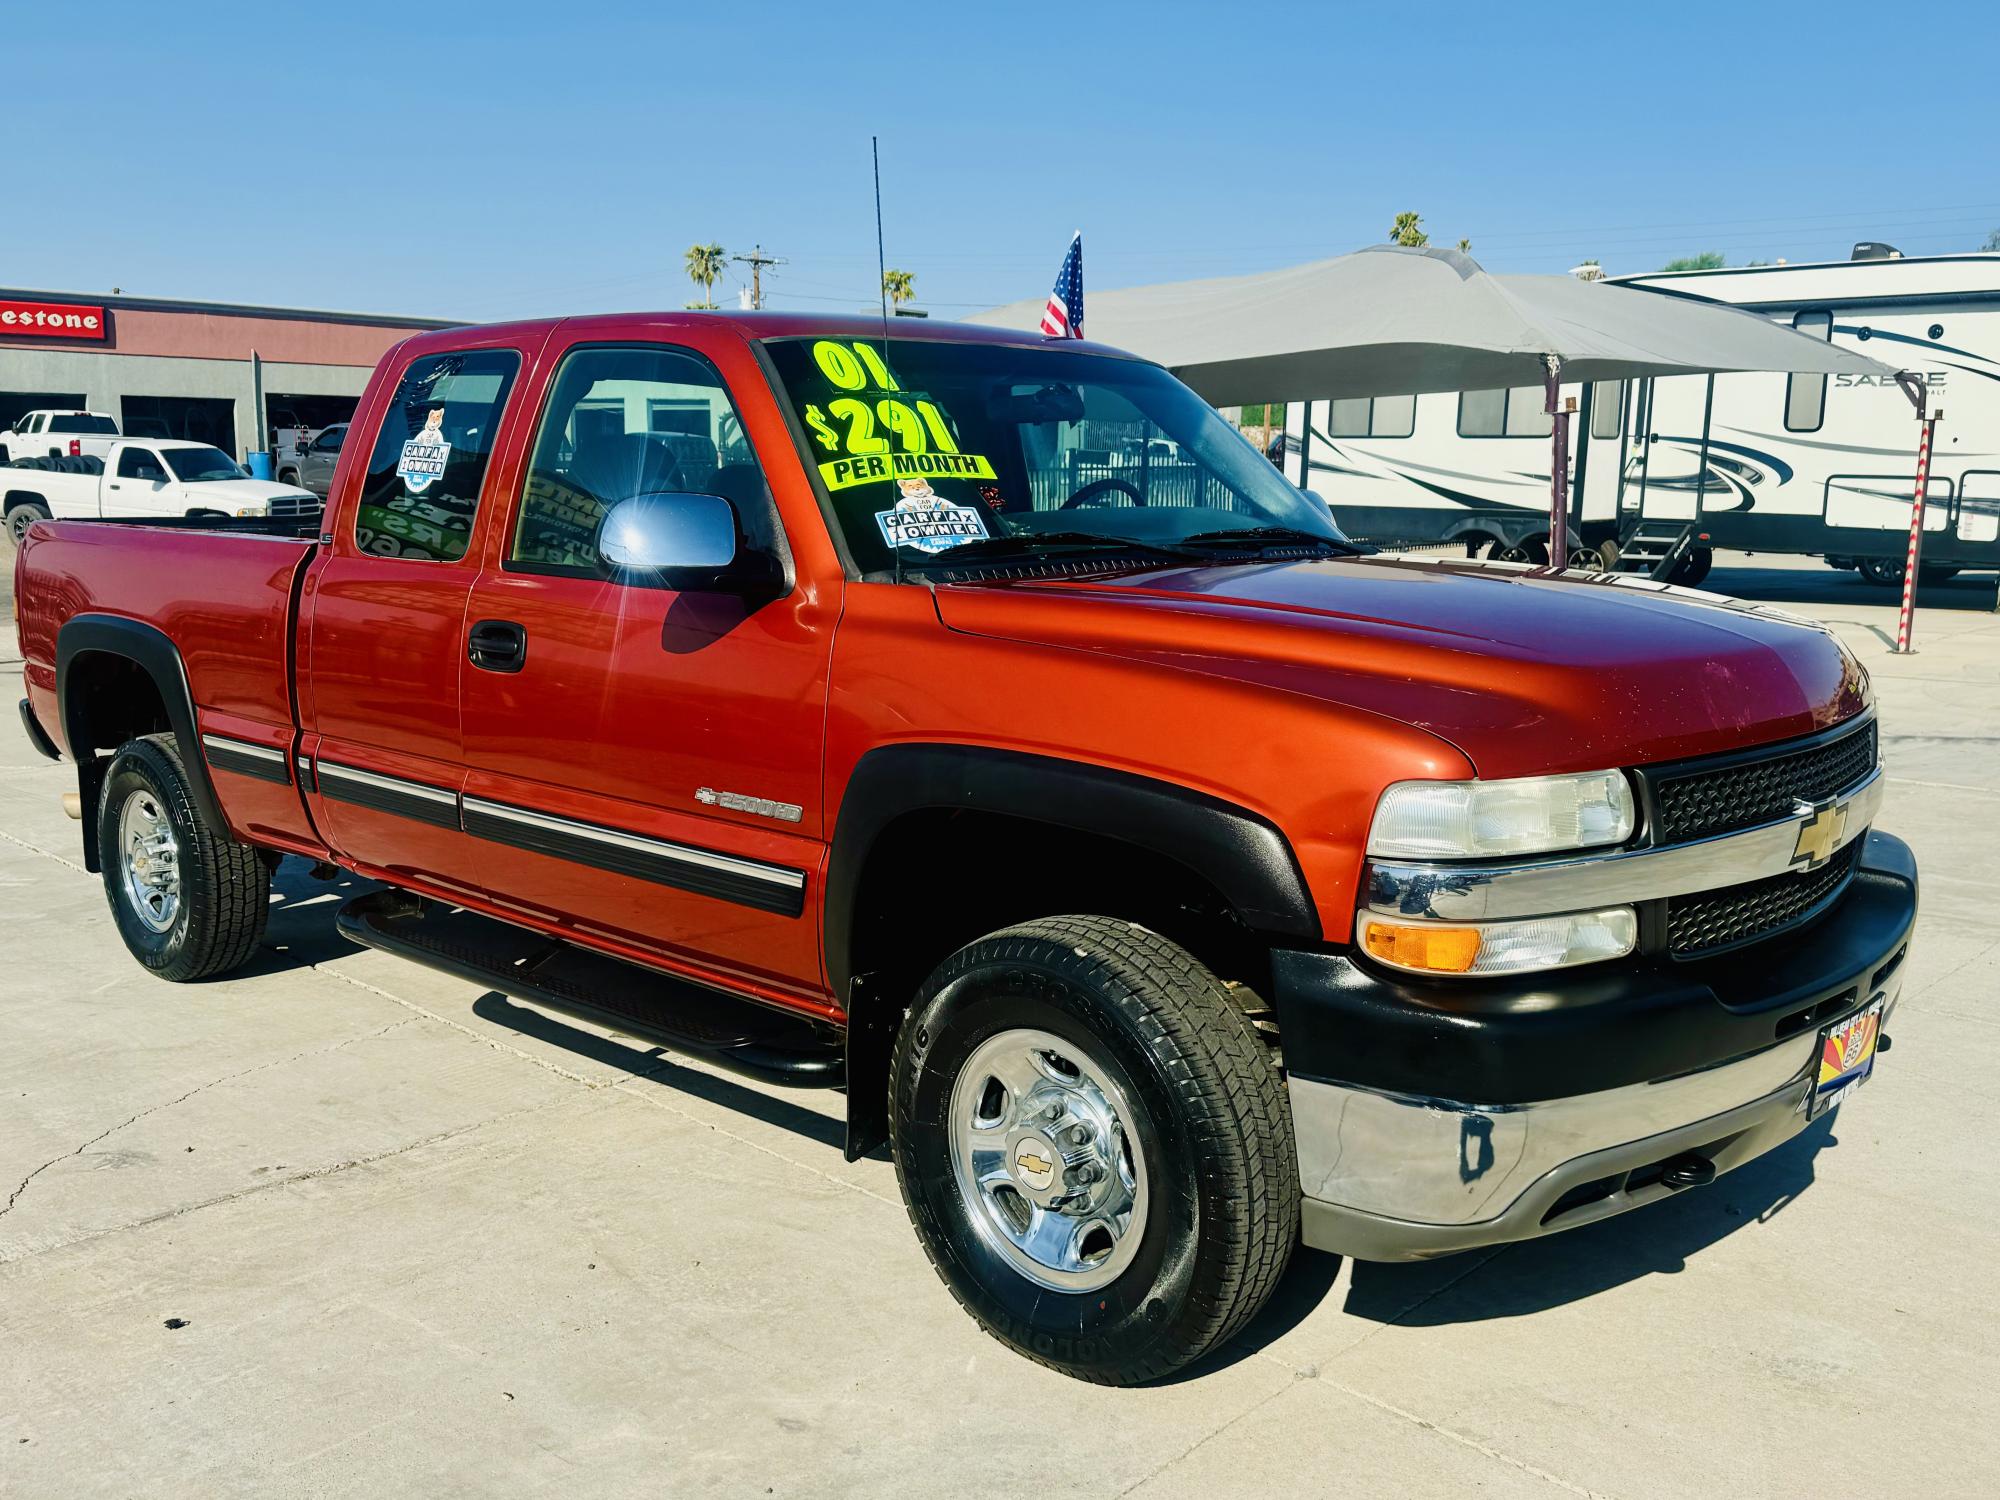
(1531, 815)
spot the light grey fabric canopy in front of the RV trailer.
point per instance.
(1397, 321)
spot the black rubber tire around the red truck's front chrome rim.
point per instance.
(1211, 1125)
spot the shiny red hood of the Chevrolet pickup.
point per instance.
(1525, 671)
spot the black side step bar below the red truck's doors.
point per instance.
(643, 1003)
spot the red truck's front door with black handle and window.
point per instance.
(645, 763)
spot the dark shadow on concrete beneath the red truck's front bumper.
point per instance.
(1577, 1265)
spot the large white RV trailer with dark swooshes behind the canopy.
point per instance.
(1669, 469)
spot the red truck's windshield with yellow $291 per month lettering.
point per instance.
(963, 455)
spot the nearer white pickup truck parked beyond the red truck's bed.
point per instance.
(135, 481)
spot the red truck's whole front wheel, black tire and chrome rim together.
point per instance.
(1095, 1147)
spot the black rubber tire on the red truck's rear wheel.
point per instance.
(223, 887)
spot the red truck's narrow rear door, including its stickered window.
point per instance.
(379, 683)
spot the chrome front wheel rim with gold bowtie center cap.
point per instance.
(1047, 1163)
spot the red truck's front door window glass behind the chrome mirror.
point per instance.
(621, 423)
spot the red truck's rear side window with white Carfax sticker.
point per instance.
(431, 455)
